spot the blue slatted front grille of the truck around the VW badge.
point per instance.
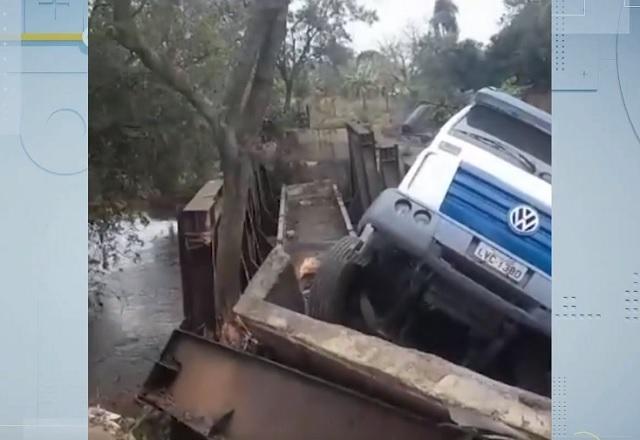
(483, 207)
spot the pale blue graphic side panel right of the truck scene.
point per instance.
(596, 271)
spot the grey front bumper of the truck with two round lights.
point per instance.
(472, 289)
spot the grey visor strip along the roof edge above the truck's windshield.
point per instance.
(505, 103)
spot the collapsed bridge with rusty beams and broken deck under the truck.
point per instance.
(289, 376)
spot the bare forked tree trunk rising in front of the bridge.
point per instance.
(233, 117)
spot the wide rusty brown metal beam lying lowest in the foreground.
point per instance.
(217, 392)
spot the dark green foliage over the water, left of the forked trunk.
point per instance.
(145, 141)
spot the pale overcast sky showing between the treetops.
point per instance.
(478, 19)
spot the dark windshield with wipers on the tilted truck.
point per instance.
(508, 137)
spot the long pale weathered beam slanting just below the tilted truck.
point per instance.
(421, 382)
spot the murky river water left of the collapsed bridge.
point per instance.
(141, 305)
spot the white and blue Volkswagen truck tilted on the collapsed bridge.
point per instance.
(460, 252)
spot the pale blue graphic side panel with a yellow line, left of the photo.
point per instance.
(43, 194)
